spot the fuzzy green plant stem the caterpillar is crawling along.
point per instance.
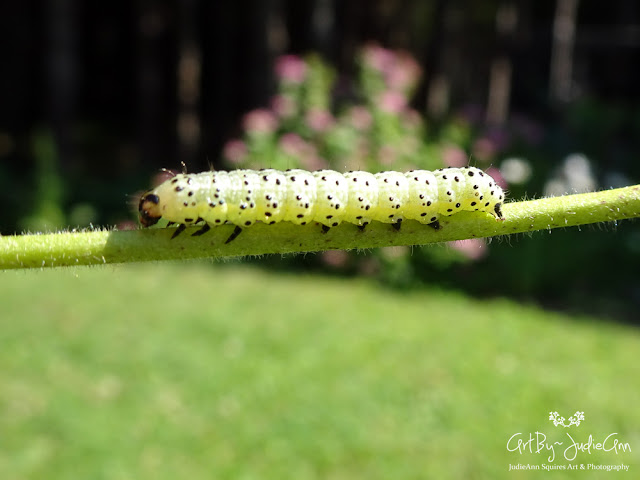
(98, 247)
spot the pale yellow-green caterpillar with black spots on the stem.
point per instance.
(244, 197)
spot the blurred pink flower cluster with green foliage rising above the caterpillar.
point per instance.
(307, 126)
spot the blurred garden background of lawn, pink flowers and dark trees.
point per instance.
(337, 364)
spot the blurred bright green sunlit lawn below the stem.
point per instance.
(200, 371)
